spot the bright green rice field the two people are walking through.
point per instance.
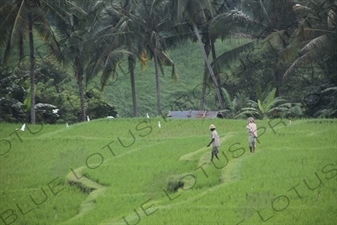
(143, 159)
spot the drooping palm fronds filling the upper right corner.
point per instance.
(315, 37)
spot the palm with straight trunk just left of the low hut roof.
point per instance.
(151, 22)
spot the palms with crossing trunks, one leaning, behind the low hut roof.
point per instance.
(218, 21)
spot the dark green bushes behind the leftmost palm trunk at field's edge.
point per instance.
(54, 91)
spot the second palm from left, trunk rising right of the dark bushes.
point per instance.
(77, 24)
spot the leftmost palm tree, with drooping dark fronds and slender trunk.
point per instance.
(19, 19)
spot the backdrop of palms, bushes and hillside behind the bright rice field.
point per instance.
(108, 44)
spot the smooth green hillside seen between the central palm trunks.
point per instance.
(187, 90)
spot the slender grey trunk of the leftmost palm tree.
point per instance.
(31, 72)
